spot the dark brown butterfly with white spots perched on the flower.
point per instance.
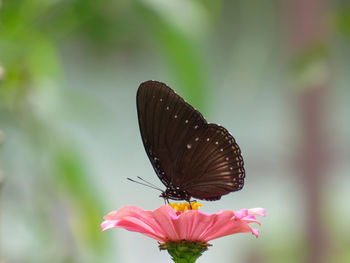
(191, 157)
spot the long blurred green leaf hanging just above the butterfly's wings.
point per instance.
(183, 55)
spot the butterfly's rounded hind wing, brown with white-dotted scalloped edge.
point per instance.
(213, 164)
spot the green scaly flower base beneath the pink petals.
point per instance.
(184, 251)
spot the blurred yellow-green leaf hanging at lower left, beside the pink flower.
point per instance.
(86, 208)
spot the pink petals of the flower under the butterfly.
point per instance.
(165, 224)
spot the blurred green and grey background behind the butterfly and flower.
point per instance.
(274, 73)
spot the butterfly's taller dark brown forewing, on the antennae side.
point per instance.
(166, 122)
